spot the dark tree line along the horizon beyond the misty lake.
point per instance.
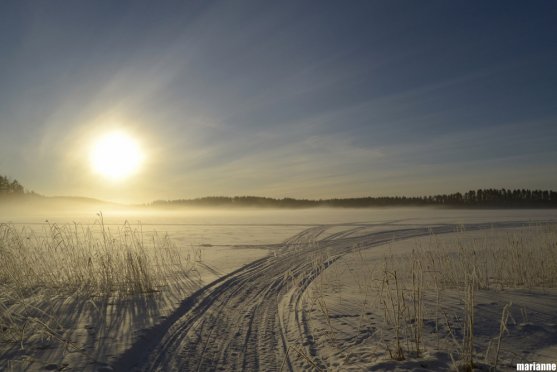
(481, 198)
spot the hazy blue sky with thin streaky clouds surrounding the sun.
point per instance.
(305, 99)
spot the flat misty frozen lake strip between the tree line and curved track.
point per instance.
(268, 226)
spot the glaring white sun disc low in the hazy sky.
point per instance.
(116, 156)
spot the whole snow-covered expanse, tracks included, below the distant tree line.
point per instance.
(297, 290)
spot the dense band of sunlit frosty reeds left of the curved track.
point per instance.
(93, 260)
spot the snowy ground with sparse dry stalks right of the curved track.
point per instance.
(354, 309)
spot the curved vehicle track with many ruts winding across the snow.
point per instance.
(247, 320)
